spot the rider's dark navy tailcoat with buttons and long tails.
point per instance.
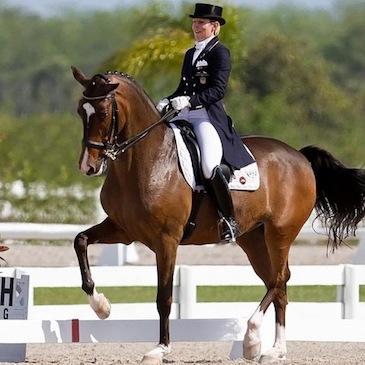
(205, 82)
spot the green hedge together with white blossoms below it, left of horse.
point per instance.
(40, 181)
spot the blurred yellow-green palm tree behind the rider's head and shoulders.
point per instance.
(155, 58)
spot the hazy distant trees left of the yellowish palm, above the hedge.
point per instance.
(36, 55)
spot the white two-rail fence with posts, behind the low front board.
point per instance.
(347, 279)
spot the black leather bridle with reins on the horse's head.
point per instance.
(111, 146)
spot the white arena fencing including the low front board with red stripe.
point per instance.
(191, 320)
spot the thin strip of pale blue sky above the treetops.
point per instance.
(54, 7)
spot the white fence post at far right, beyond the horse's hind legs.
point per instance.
(351, 296)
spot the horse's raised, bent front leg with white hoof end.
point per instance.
(105, 232)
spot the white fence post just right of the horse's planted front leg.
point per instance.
(188, 296)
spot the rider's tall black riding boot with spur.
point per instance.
(221, 194)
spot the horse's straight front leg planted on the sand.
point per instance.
(165, 268)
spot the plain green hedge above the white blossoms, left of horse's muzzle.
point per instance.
(43, 148)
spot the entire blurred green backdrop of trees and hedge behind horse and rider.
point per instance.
(297, 75)
